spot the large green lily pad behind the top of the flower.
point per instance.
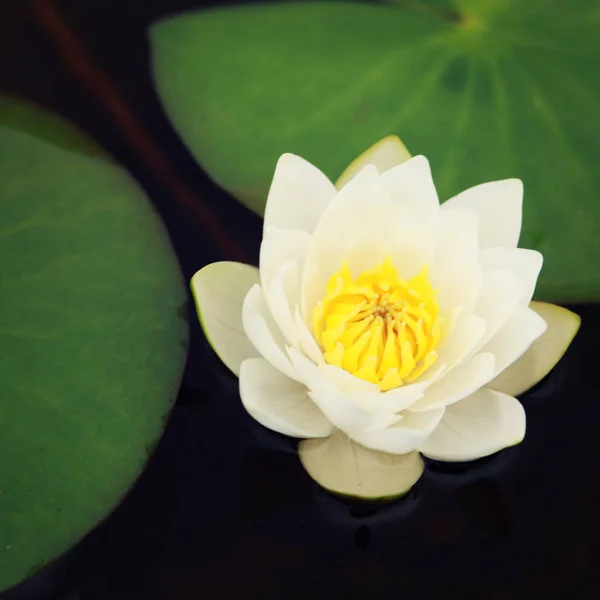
(486, 89)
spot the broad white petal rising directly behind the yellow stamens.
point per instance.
(362, 207)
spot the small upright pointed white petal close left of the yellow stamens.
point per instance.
(280, 295)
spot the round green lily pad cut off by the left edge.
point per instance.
(91, 334)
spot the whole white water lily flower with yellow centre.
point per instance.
(382, 325)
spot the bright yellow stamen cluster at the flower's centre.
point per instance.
(379, 327)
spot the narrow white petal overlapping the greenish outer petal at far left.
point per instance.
(263, 333)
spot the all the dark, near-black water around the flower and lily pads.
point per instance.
(224, 509)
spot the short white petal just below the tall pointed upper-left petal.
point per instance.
(280, 246)
